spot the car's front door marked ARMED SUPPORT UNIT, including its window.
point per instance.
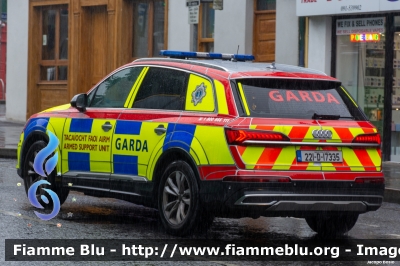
(88, 135)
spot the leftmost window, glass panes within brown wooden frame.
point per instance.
(54, 57)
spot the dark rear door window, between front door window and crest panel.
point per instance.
(162, 88)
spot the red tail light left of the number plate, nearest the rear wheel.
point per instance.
(237, 137)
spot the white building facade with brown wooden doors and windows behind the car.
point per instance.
(59, 48)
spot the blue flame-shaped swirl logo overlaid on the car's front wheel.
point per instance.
(49, 167)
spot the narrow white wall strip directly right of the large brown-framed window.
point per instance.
(178, 26)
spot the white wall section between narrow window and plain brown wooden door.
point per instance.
(233, 27)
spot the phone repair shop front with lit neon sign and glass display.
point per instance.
(365, 56)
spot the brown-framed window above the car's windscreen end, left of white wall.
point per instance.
(148, 28)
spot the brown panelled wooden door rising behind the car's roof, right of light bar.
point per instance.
(264, 36)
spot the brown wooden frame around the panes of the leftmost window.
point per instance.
(57, 62)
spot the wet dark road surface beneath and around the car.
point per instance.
(103, 218)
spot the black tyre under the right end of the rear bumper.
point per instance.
(328, 225)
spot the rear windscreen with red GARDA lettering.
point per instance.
(279, 98)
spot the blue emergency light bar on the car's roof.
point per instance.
(186, 55)
